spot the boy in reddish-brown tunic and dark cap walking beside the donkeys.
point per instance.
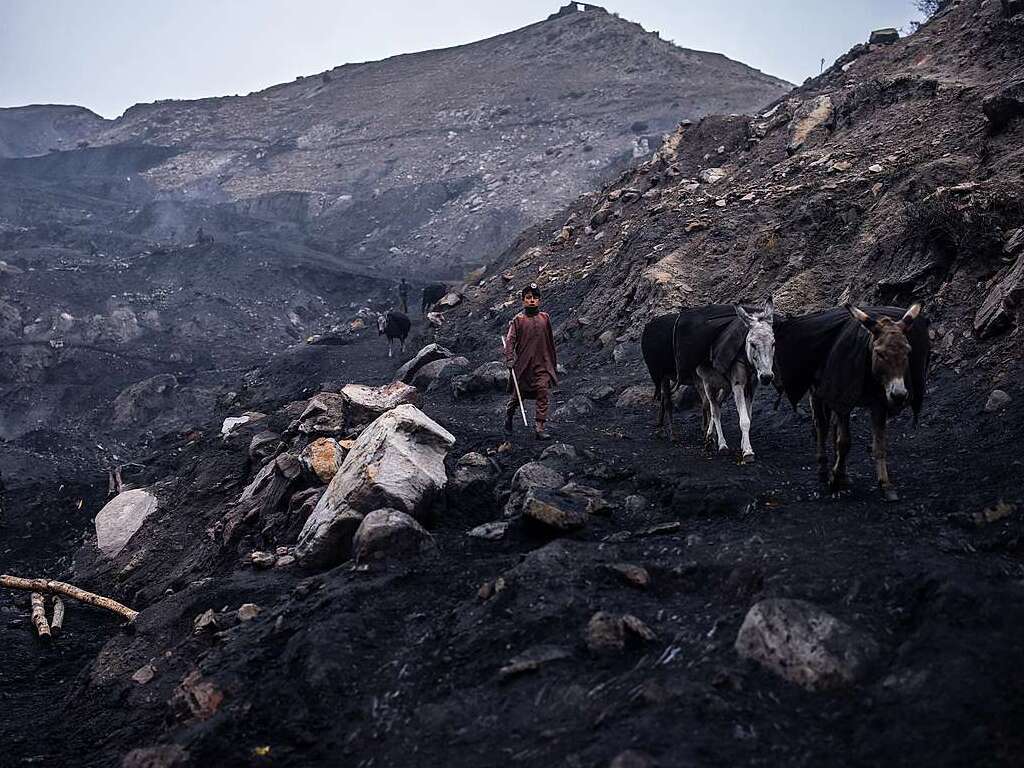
(530, 352)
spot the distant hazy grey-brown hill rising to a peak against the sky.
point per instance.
(432, 161)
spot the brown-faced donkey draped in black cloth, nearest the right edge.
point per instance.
(848, 358)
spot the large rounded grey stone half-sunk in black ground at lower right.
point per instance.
(804, 645)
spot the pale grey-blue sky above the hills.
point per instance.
(109, 55)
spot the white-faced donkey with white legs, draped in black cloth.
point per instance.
(722, 348)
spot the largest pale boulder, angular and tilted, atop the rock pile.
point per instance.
(397, 463)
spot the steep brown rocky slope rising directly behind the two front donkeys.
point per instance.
(893, 177)
